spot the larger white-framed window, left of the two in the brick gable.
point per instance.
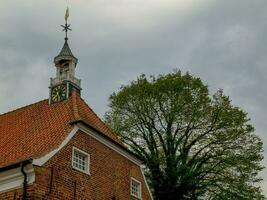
(80, 160)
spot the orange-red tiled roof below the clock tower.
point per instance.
(35, 130)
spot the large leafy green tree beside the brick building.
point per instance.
(194, 145)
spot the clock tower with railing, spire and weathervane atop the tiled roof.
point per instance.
(65, 81)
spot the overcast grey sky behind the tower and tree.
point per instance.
(223, 42)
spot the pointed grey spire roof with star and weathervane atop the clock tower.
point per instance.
(65, 53)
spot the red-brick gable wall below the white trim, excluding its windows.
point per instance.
(110, 174)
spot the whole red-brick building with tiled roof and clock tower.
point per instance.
(59, 149)
